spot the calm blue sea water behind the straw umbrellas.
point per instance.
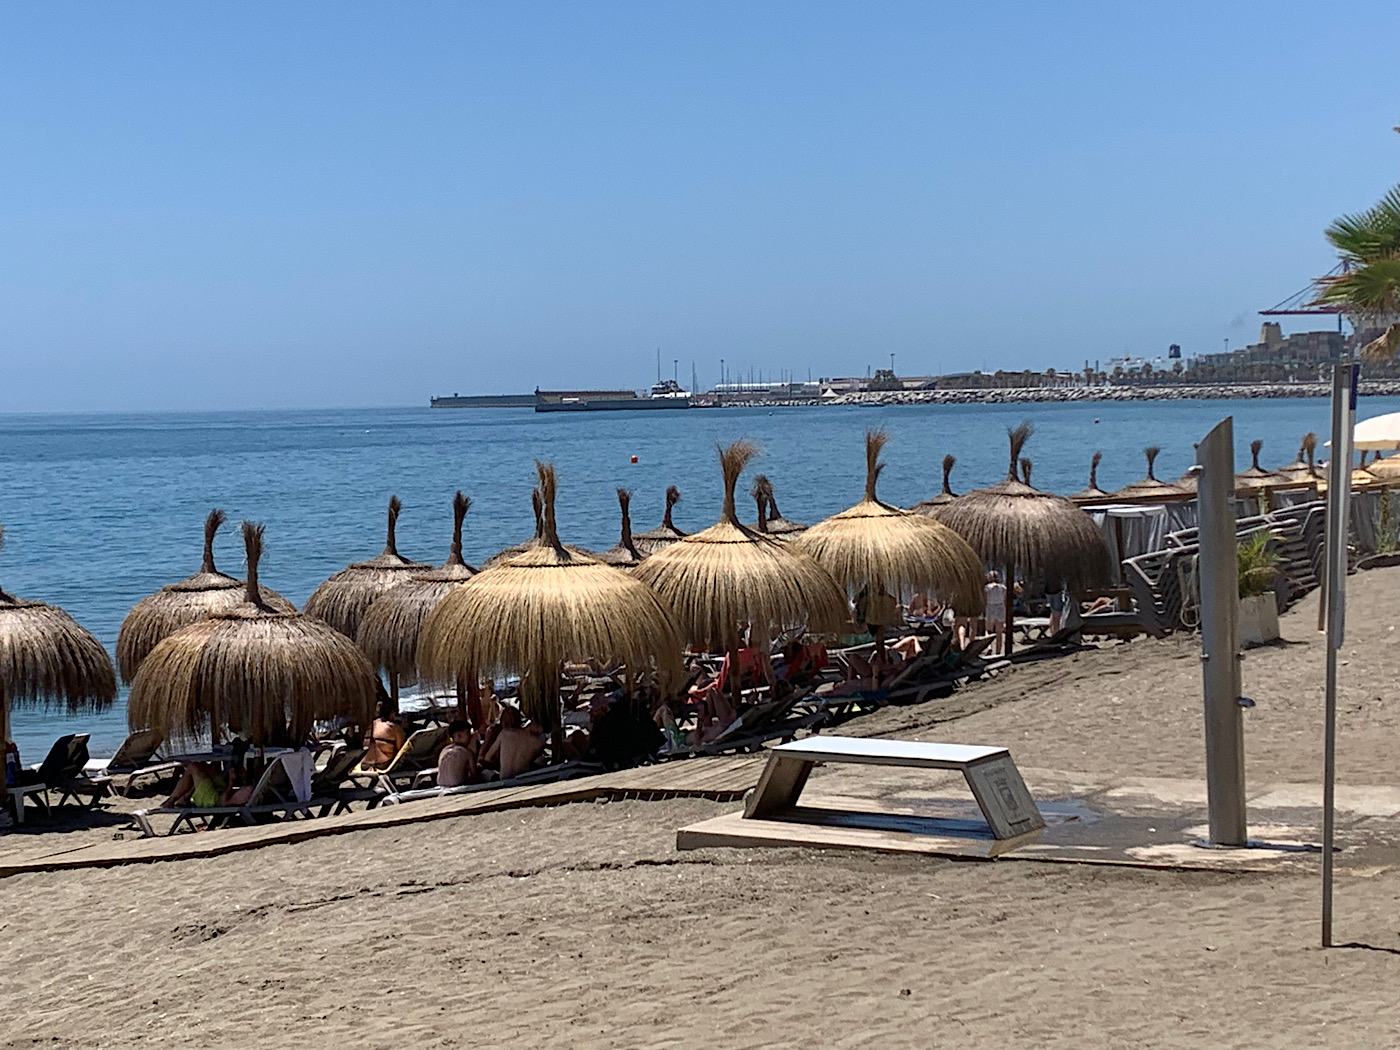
(101, 510)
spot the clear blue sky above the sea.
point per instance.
(320, 205)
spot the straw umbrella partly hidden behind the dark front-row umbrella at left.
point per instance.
(180, 605)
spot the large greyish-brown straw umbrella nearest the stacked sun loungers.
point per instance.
(1018, 527)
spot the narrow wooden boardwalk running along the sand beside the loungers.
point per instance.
(719, 779)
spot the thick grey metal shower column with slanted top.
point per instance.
(1220, 640)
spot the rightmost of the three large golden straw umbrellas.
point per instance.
(881, 548)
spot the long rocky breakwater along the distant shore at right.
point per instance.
(1080, 394)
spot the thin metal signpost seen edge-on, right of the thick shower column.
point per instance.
(1345, 380)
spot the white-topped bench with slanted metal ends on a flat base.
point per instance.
(773, 817)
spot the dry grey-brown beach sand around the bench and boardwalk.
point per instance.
(582, 926)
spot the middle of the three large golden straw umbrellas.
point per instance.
(729, 575)
